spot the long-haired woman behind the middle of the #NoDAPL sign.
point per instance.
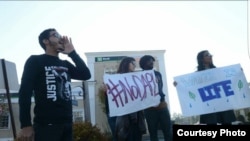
(129, 127)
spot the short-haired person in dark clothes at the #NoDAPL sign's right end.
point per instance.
(157, 116)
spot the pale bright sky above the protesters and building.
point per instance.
(182, 28)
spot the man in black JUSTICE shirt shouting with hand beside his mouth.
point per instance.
(48, 78)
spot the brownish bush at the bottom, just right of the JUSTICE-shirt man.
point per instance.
(84, 131)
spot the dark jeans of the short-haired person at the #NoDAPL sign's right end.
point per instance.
(156, 118)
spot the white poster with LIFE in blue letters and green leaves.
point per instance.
(213, 90)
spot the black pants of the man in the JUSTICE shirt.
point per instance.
(53, 132)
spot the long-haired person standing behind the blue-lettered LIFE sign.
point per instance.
(204, 60)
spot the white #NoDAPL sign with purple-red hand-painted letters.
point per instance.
(131, 92)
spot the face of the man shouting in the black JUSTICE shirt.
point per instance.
(55, 41)
